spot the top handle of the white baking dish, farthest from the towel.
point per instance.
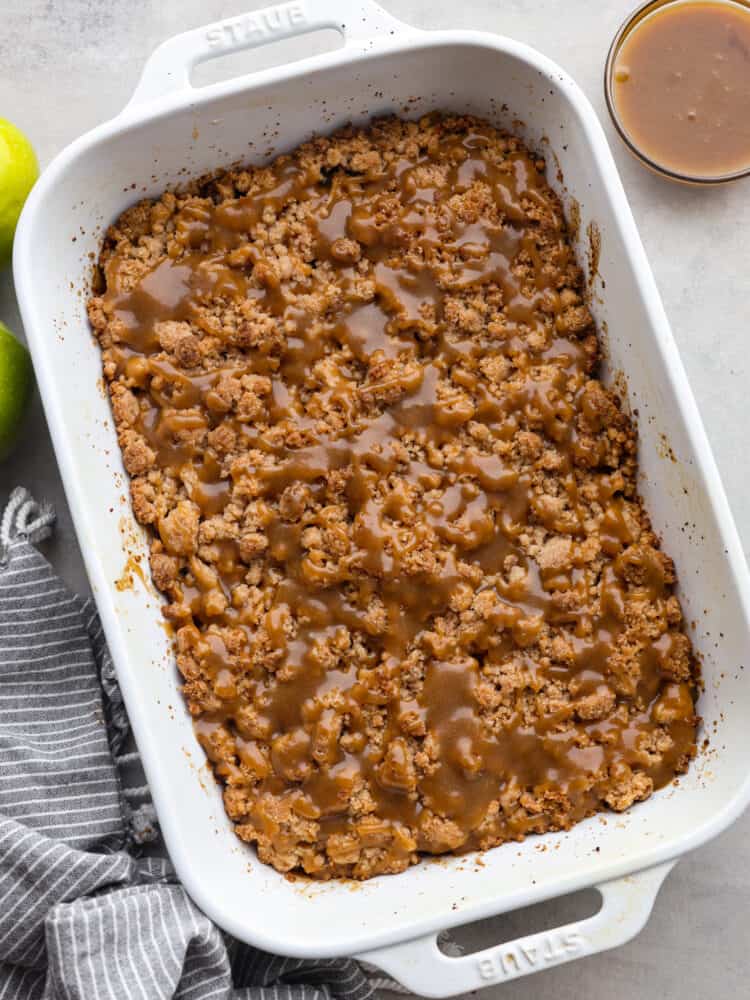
(168, 69)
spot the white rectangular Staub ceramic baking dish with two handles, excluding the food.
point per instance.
(171, 130)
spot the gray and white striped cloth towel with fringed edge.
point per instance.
(82, 917)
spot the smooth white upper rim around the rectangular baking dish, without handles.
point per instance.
(136, 115)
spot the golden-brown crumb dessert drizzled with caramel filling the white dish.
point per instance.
(418, 602)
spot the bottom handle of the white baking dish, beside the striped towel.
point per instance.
(424, 969)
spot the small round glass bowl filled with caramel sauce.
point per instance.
(677, 84)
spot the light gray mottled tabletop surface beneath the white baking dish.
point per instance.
(66, 65)
